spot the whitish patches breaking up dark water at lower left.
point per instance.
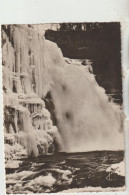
(41, 183)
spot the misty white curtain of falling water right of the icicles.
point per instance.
(86, 119)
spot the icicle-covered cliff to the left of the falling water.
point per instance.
(28, 126)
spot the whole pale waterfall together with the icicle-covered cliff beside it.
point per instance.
(32, 67)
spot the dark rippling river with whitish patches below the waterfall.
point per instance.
(62, 171)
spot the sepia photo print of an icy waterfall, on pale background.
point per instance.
(63, 111)
